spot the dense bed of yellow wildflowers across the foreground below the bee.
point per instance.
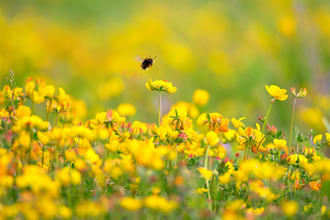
(108, 167)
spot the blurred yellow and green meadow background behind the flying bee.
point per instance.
(232, 49)
